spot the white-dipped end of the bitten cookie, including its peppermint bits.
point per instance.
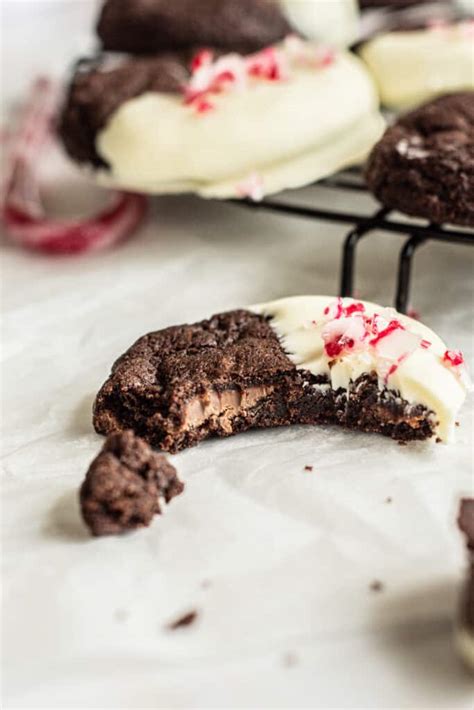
(344, 338)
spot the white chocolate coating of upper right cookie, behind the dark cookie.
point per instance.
(412, 67)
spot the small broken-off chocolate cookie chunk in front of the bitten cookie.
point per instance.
(126, 485)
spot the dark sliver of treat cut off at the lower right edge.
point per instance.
(465, 626)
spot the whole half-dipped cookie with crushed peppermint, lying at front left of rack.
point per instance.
(131, 120)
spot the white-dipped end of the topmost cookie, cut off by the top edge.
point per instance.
(333, 21)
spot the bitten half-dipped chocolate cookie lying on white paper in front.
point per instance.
(306, 360)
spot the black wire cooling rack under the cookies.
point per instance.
(375, 225)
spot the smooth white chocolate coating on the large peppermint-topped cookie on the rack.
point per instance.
(290, 132)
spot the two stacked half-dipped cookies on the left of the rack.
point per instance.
(224, 98)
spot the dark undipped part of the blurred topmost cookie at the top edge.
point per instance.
(152, 26)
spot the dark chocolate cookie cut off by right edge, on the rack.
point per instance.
(424, 164)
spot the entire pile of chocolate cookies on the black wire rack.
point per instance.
(243, 98)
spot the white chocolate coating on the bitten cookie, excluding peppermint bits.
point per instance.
(421, 377)
